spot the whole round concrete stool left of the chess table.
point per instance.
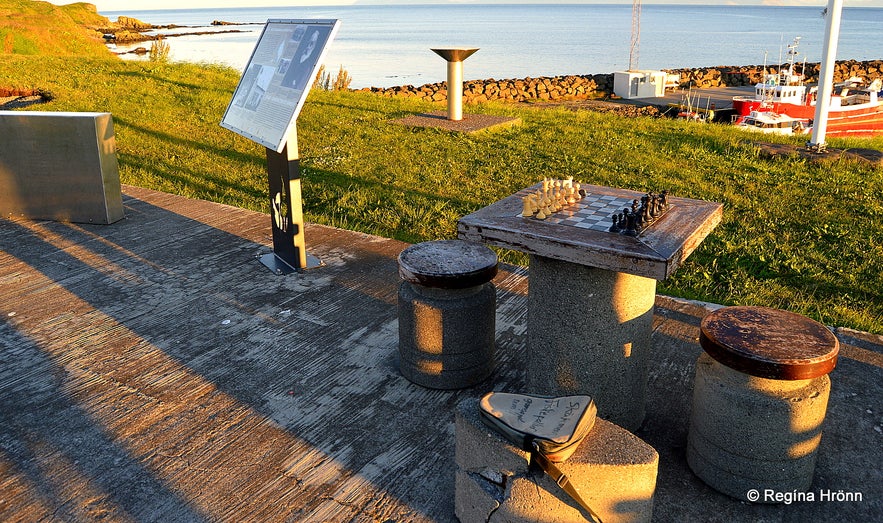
(447, 313)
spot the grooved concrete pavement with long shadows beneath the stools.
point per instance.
(155, 370)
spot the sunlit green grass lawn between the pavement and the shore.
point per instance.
(796, 235)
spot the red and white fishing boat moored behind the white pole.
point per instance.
(856, 108)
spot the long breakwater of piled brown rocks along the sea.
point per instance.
(581, 87)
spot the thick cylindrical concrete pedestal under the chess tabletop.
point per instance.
(592, 330)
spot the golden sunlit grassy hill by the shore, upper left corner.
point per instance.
(31, 27)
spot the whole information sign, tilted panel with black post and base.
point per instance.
(264, 109)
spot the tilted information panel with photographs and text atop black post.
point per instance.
(278, 79)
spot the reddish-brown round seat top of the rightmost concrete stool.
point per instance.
(769, 343)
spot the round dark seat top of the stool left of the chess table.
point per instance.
(448, 264)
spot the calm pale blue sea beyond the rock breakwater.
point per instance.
(390, 45)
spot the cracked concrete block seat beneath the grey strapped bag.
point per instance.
(614, 471)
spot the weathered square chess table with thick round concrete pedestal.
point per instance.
(591, 293)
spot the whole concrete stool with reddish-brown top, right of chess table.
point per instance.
(759, 400)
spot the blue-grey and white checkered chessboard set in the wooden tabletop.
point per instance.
(593, 211)
